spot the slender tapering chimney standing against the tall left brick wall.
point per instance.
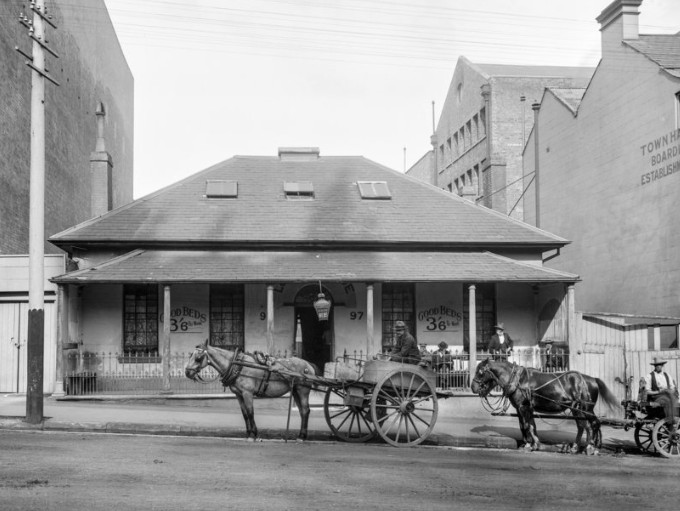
(101, 171)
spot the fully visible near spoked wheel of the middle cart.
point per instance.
(404, 408)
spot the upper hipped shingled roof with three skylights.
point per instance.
(417, 214)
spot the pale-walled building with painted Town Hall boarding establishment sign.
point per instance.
(607, 171)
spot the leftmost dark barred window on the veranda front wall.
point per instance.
(140, 319)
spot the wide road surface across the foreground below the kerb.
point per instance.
(89, 471)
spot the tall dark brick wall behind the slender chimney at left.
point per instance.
(91, 68)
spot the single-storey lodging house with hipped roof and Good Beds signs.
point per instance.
(239, 253)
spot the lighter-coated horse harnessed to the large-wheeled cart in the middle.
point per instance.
(248, 378)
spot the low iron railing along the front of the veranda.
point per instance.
(142, 373)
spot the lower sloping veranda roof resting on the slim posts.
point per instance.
(177, 266)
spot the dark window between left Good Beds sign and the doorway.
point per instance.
(227, 316)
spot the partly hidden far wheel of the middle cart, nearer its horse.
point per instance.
(350, 423)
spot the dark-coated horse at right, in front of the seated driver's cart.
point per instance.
(530, 390)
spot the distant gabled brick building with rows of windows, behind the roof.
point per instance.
(482, 128)
